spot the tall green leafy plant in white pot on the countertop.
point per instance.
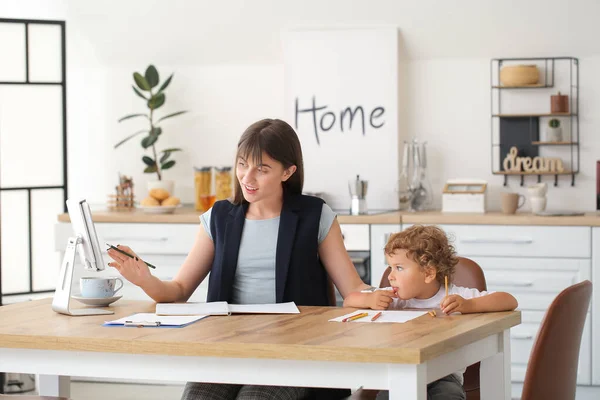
(146, 87)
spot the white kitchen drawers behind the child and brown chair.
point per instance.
(535, 263)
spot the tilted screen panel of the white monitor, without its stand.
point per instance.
(83, 227)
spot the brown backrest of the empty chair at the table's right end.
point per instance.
(552, 369)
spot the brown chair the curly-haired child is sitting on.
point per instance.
(467, 274)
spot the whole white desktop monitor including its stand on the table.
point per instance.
(85, 242)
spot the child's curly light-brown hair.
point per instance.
(428, 246)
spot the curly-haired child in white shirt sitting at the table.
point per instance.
(420, 258)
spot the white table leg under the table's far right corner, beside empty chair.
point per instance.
(495, 371)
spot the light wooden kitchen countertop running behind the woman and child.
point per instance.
(187, 215)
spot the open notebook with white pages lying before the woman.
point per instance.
(223, 308)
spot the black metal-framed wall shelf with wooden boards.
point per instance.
(511, 128)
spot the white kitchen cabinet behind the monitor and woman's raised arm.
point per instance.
(164, 245)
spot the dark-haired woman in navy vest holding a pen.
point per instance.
(269, 244)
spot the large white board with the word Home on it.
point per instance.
(341, 97)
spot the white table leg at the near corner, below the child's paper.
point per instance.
(407, 381)
